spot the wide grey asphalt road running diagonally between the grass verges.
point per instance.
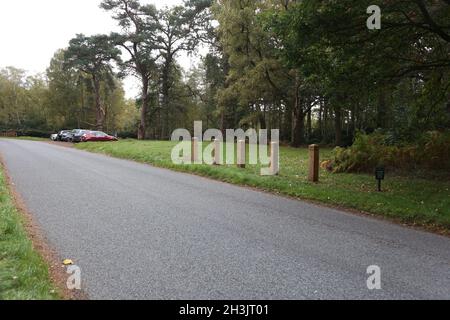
(139, 232)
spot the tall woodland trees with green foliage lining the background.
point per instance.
(310, 68)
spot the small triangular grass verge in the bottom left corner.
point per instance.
(23, 273)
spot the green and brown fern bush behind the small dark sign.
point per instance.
(431, 152)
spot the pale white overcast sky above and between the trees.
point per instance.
(32, 30)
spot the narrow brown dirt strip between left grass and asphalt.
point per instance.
(56, 269)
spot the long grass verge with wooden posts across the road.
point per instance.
(409, 200)
